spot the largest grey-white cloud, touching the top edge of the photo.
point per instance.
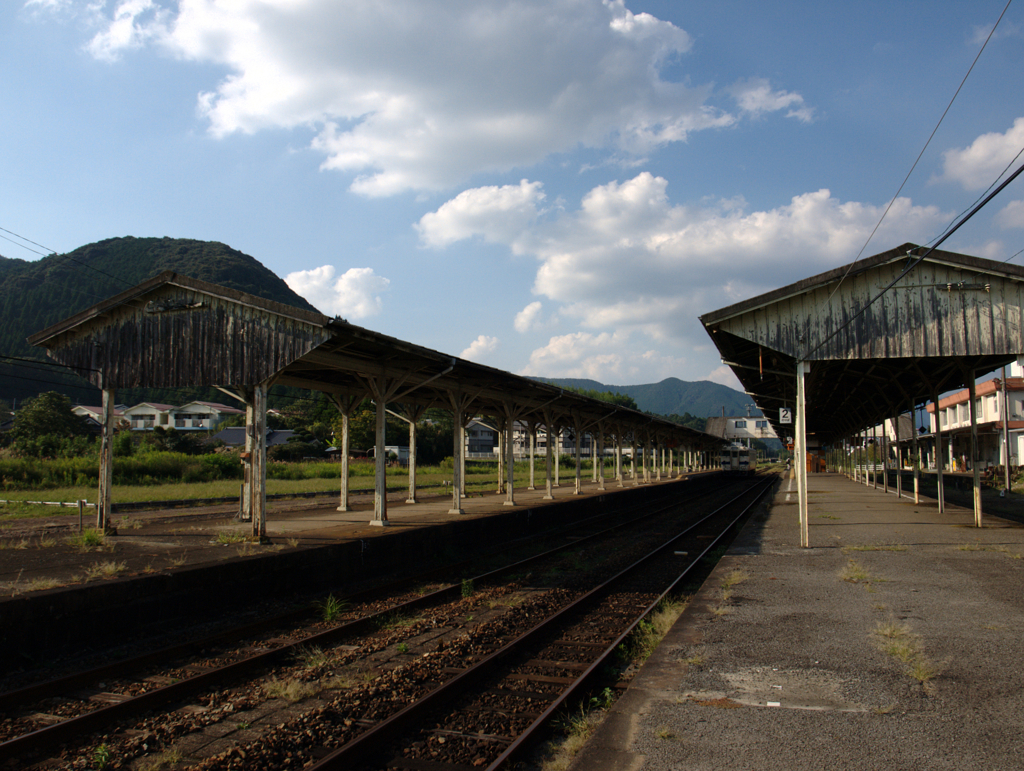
(421, 95)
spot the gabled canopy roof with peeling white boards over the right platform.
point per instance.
(877, 336)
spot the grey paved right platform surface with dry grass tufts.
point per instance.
(893, 642)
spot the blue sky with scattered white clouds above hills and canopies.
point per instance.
(553, 188)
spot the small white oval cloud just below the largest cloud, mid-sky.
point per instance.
(498, 215)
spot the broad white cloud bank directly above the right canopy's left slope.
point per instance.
(630, 261)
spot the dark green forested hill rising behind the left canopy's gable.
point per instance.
(35, 295)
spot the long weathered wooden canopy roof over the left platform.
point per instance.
(174, 331)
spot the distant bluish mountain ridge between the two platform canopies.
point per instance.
(672, 397)
